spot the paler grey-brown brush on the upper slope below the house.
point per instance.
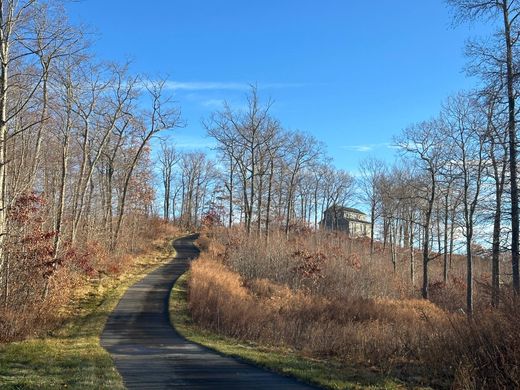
(338, 267)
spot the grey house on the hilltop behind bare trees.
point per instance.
(346, 219)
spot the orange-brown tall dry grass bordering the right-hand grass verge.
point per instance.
(359, 329)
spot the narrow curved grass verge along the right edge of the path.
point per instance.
(324, 373)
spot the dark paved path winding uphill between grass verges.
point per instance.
(150, 354)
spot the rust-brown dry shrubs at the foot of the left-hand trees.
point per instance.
(40, 288)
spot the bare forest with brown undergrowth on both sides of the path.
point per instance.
(90, 174)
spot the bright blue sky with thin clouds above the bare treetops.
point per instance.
(352, 73)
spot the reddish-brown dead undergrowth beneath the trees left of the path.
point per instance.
(26, 311)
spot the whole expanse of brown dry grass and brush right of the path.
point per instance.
(327, 298)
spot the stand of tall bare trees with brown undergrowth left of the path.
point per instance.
(76, 181)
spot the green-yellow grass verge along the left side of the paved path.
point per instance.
(71, 357)
